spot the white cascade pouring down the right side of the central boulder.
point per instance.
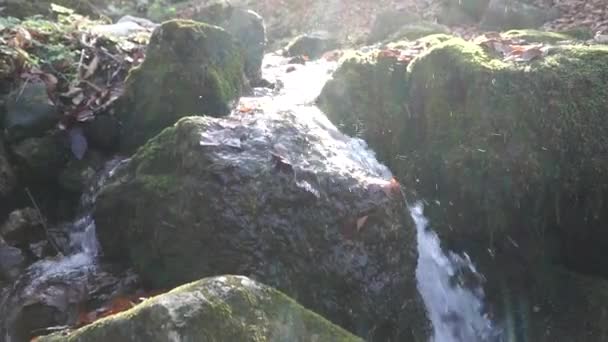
(455, 309)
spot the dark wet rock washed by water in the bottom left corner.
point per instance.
(51, 293)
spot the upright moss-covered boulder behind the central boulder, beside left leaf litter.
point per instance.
(190, 68)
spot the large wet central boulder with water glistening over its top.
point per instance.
(283, 198)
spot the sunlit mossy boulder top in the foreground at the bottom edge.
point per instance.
(224, 308)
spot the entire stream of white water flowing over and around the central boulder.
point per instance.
(53, 290)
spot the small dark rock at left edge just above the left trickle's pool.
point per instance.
(23, 226)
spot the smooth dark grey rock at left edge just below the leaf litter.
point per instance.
(29, 112)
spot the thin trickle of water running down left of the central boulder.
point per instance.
(64, 282)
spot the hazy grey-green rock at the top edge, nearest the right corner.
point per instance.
(509, 14)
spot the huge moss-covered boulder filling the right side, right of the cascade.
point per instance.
(508, 155)
